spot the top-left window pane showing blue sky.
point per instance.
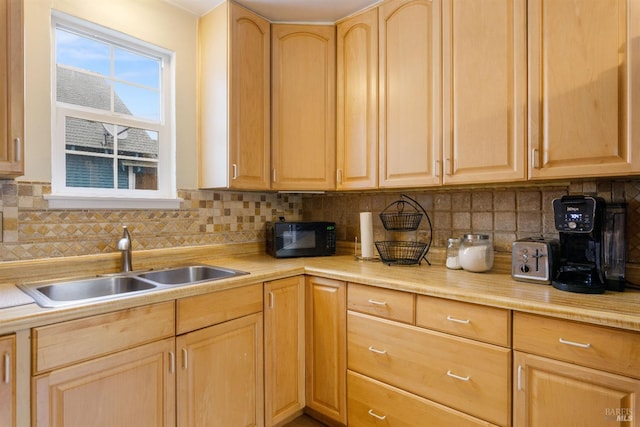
(82, 52)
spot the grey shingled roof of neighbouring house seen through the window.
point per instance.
(80, 88)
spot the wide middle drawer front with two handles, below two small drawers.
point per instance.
(466, 375)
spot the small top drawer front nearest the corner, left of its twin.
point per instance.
(387, 303)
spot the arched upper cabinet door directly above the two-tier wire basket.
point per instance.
(409, 103)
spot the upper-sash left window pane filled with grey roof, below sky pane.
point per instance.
(78, 88)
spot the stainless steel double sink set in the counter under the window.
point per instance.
(109, 287)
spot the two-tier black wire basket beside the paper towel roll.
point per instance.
(402, 252)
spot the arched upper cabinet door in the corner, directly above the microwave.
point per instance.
(303, 107)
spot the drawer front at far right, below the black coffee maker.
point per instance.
(608, 349)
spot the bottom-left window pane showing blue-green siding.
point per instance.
(91, 172)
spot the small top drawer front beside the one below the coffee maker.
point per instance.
(489, 324)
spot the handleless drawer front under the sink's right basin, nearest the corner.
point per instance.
(216, 307)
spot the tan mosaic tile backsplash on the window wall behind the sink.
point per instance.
(32, 231)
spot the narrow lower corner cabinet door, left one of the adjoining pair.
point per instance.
(284, 348)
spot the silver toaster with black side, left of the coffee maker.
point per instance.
(534, 259)
